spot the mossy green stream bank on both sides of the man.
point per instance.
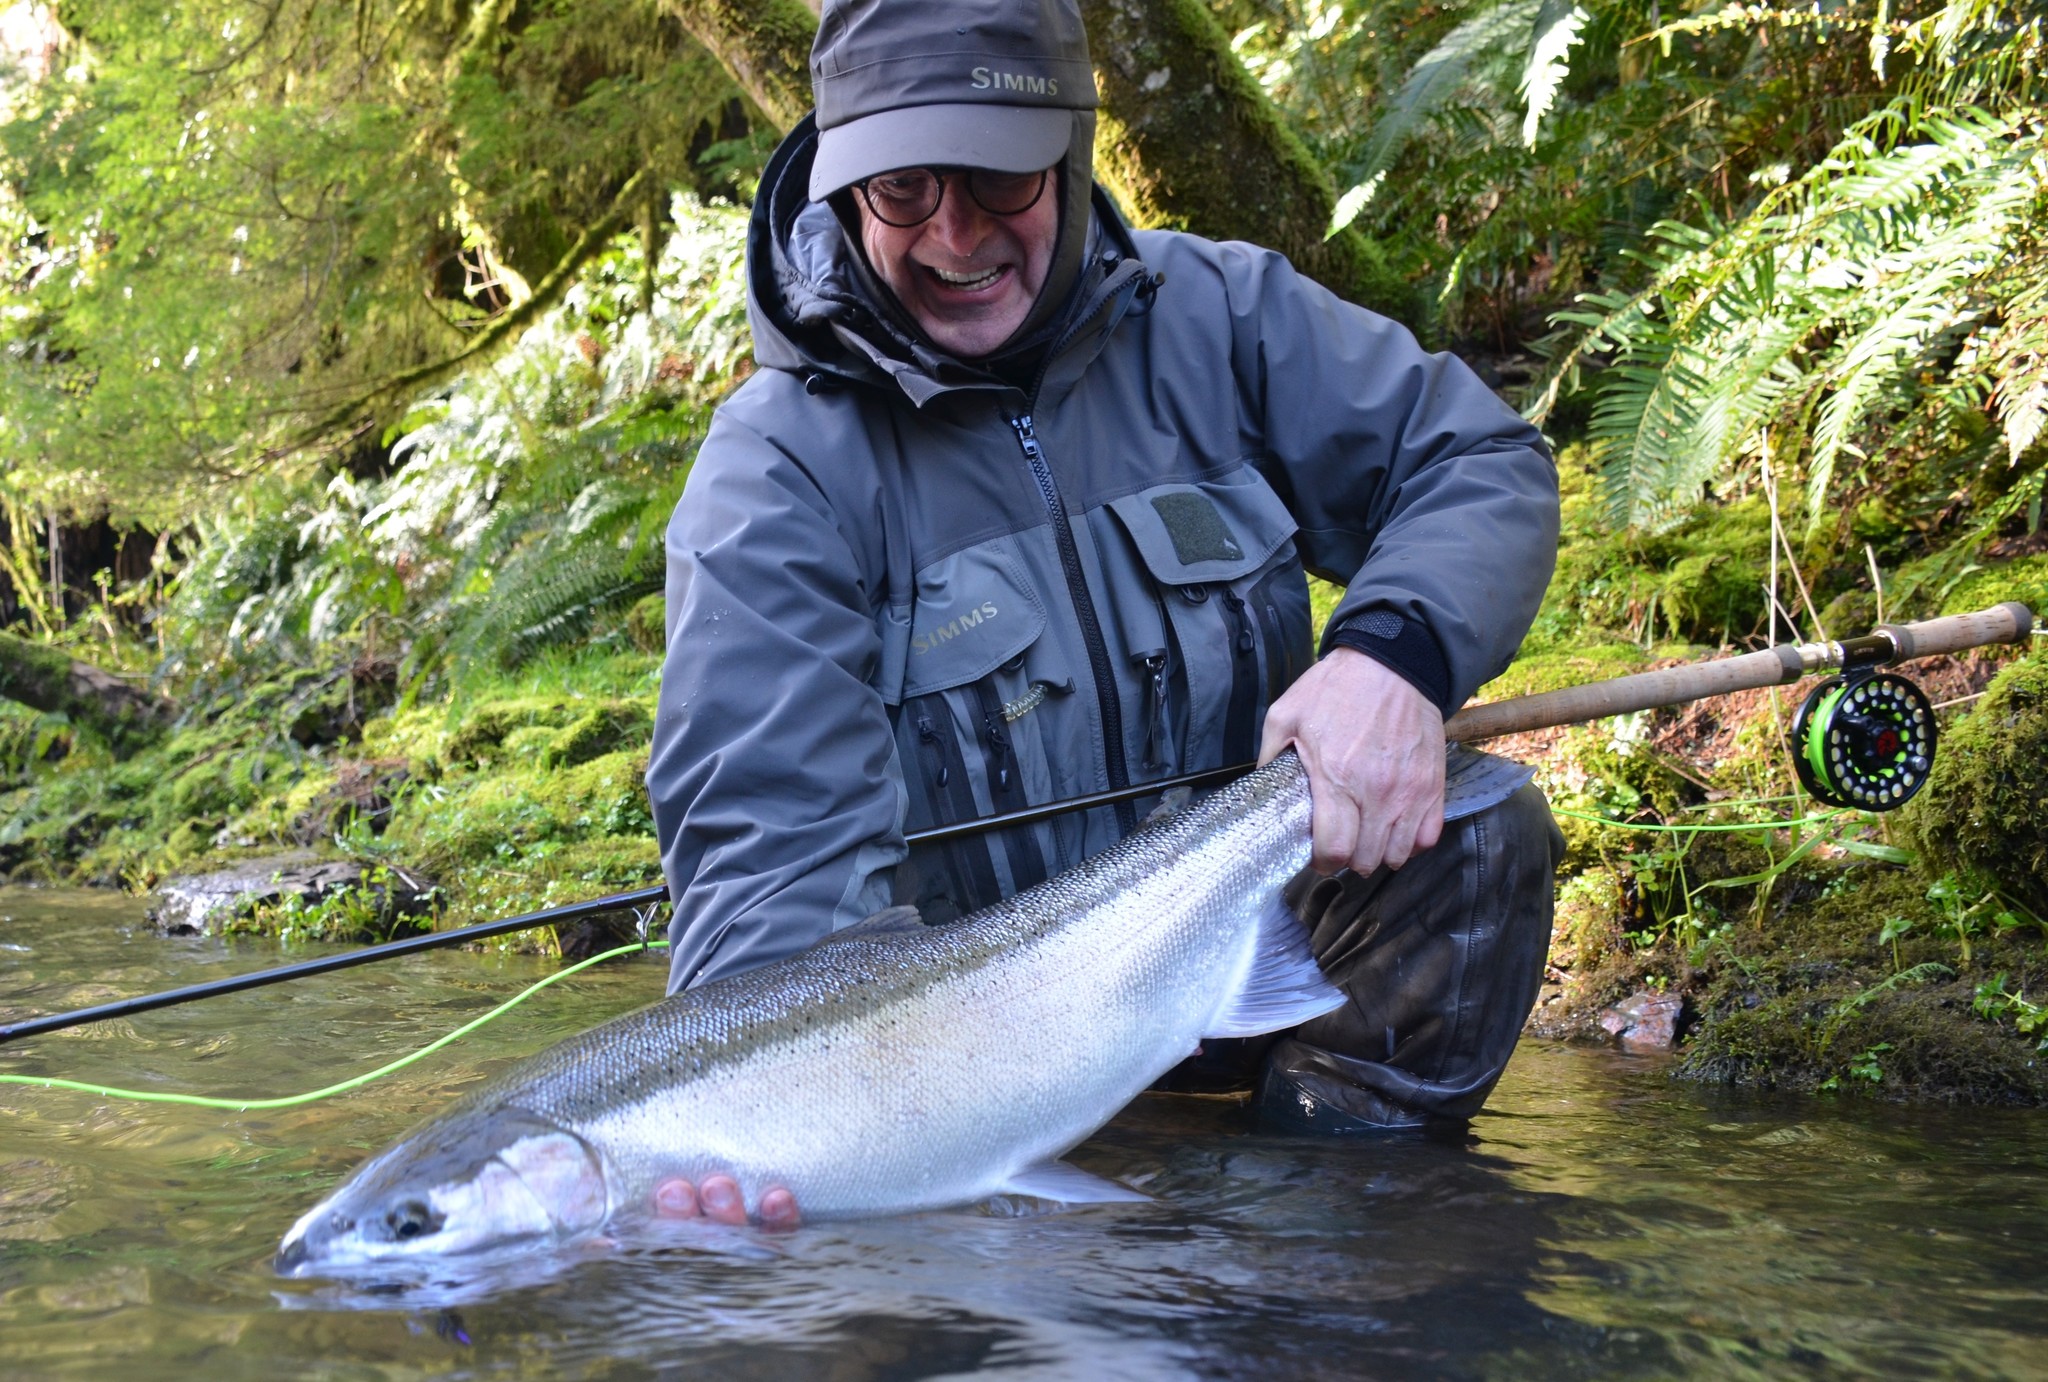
(1895, 957)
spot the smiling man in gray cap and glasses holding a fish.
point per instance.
(1019, 509)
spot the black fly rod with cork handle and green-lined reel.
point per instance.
(1863, 740)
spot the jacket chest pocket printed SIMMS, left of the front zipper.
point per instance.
(972, 681)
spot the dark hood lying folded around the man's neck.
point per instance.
(816, 310)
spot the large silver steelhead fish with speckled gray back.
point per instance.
(884, 1070)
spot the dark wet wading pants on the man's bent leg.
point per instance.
(1441, 959)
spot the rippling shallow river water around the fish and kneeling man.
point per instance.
(1598, 1221)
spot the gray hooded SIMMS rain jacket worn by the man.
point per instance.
(904, 593)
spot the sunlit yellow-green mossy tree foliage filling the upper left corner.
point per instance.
(243, 226)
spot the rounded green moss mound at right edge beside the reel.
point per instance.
(1983, 808)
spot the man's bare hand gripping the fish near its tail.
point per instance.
(1375, 759)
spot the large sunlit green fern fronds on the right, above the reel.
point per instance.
(1840, 302)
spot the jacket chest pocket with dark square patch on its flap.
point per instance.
(1230, 603)
